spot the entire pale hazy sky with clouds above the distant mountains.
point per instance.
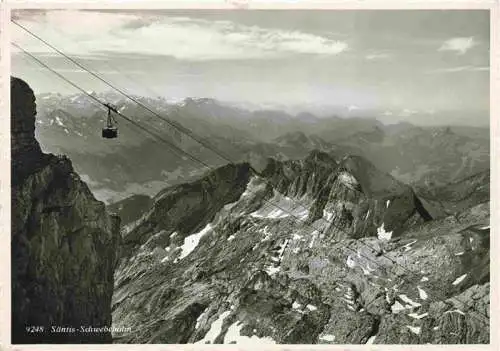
(399, 62)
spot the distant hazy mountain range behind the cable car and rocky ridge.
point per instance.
(115, 169)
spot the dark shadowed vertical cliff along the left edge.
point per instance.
(64, 244)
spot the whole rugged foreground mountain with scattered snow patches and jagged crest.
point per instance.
(302, 271)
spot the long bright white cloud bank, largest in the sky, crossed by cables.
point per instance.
(183, 38)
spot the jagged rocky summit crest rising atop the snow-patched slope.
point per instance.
(355, 198)
